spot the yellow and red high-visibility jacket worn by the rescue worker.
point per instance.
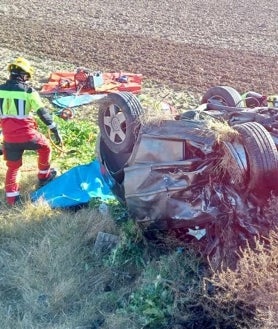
(18, 103)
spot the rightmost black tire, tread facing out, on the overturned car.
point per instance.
(262, 156)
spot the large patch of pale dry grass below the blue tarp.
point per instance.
(49, 275)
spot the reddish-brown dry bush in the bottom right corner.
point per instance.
(249, 294)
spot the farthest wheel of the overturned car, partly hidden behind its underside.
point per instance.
(223, 96)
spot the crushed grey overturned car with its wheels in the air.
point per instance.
(209, 170)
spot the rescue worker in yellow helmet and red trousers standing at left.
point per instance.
(18, 102)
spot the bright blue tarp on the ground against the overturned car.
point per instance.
(75, 187)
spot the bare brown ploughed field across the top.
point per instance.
(185, 44)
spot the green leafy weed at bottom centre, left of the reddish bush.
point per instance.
(164, 290)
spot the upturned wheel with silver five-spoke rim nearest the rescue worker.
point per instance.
(118, 121)
